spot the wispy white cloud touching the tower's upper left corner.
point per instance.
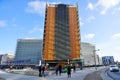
(37, 7)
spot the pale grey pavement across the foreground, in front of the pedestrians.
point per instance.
(78, 75)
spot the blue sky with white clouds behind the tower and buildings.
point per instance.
(99, 22)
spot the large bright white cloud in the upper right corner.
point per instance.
(107, 4)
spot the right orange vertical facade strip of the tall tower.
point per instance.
(74, 32)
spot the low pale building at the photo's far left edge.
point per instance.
(6, 59)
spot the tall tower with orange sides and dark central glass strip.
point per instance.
(61, 32)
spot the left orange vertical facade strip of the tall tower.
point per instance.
(49, 33)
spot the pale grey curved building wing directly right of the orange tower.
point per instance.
(88, 55)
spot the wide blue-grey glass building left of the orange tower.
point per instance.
(28, 51)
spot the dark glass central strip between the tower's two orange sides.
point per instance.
(62, 42)
